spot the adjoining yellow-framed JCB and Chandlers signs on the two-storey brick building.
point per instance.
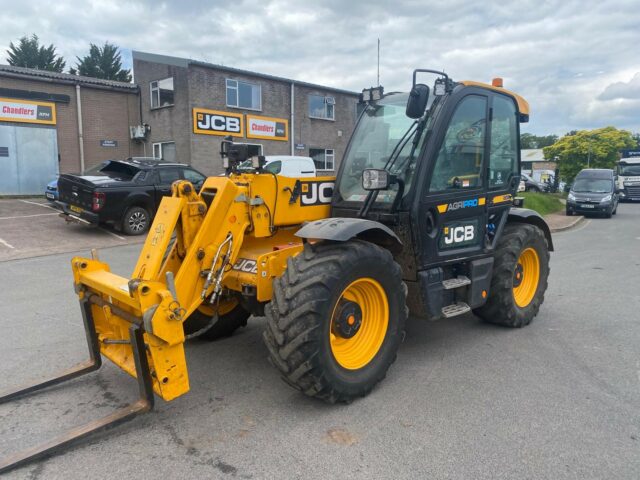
(217, 122)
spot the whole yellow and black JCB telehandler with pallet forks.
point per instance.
(421, 217)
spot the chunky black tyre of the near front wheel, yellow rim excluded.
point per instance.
(299, 318)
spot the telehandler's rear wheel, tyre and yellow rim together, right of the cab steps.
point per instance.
(520, 274)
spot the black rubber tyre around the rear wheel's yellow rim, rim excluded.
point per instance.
(501, 307)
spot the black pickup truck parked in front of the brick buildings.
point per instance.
(122, 193)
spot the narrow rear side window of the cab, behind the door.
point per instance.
(503, 159)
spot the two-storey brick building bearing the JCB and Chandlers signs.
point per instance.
(191, 106)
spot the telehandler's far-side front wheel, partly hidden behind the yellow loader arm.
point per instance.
(231, 316)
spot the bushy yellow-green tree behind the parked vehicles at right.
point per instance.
(597, 148)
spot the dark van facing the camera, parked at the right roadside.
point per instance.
(593, 191)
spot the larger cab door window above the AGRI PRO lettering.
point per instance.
(459, 162)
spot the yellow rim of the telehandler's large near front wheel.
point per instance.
(372, 308)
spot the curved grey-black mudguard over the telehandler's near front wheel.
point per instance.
(342, 229)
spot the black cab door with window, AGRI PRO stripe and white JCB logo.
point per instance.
(453, 212)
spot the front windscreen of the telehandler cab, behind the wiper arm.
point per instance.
(379, 132)
